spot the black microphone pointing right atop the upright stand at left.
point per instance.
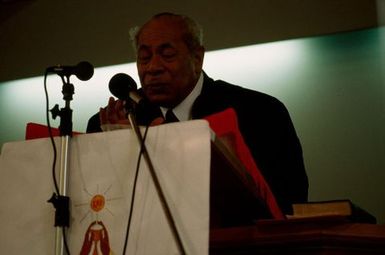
(83, 71)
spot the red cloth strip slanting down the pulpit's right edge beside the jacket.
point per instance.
(225, 124)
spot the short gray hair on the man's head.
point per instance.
(193, 36)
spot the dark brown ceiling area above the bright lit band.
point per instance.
(35, 34)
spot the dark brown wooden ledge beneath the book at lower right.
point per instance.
(311, 236)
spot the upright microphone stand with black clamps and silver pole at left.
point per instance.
(61, 201)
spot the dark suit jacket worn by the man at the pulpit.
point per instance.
(267, 130)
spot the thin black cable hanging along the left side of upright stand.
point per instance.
(54, 153)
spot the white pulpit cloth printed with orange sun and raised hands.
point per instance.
(101, 175)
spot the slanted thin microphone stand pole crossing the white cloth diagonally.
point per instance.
(158, 187)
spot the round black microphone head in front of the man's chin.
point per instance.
(121, 85)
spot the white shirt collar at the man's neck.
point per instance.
(183, 110)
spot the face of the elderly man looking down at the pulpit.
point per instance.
(168, 71)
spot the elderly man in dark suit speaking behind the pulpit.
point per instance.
(169, 61)
